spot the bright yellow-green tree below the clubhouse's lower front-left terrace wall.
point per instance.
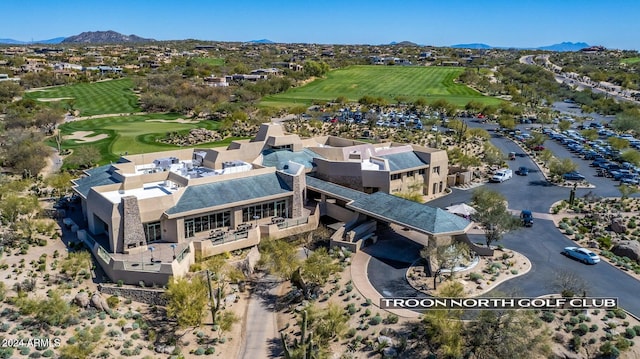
(187, 301)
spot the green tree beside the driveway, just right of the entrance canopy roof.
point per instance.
(492, 214)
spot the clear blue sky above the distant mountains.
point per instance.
(517, 23)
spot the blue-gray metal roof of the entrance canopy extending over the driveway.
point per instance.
(418, 216)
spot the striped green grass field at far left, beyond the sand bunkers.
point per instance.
(114, 96)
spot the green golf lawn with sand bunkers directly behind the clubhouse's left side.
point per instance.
(132, 134)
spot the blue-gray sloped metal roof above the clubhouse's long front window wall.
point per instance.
(230, 191)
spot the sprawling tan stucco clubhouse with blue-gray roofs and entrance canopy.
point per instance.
(149, 216)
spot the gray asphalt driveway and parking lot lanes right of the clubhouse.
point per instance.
(541, 243)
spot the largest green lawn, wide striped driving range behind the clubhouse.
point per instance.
(354, 82)
